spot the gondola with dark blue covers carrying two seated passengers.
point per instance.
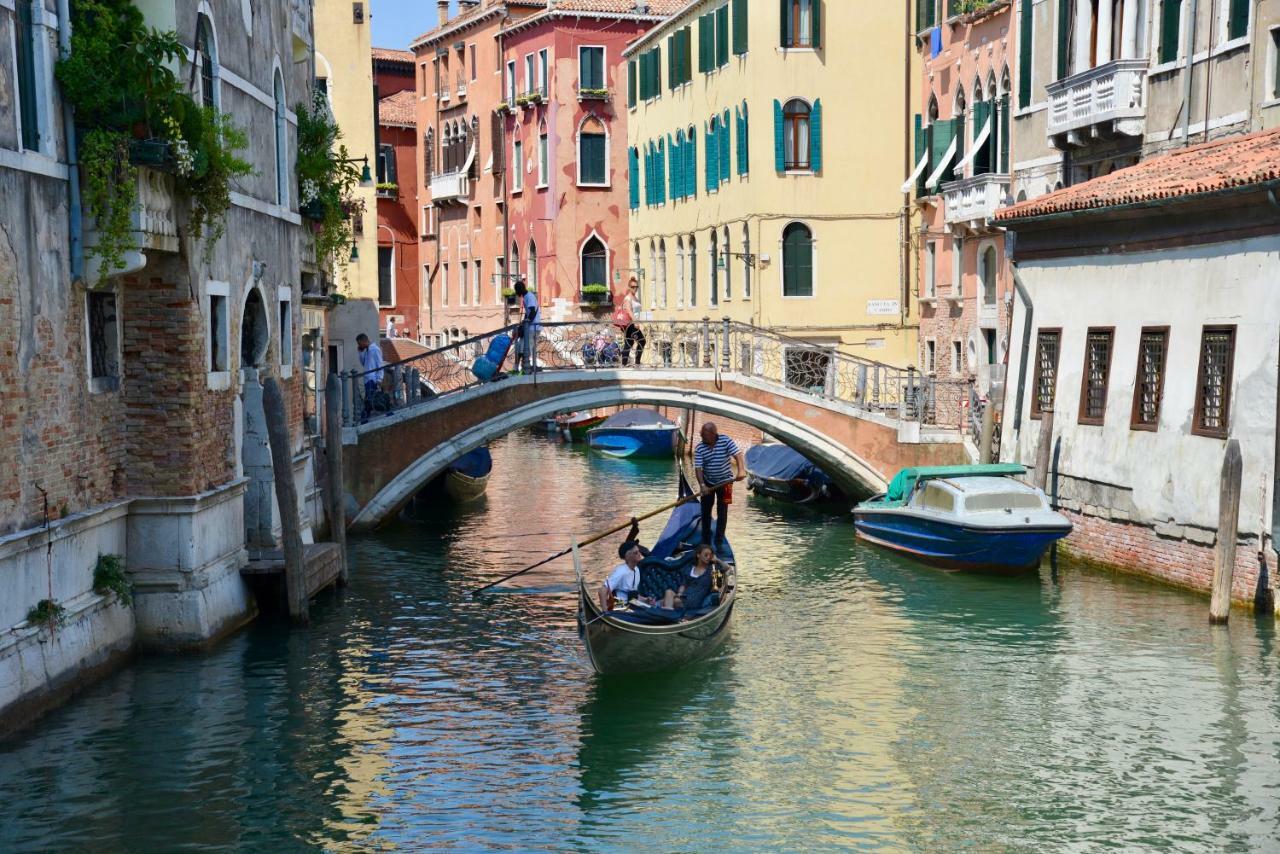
(638, 641)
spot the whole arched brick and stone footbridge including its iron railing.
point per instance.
(860, 421)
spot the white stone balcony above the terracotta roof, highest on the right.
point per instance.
(1100, 103)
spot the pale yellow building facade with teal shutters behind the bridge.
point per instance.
(767, 147)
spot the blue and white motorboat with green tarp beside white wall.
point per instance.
(963, 518)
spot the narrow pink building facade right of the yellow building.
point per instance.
(962, 179)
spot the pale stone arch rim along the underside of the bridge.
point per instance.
(852, 472)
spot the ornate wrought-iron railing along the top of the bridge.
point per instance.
(698, 345)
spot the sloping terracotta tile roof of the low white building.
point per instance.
(1223, 165)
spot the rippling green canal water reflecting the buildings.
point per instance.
(862, 701)
